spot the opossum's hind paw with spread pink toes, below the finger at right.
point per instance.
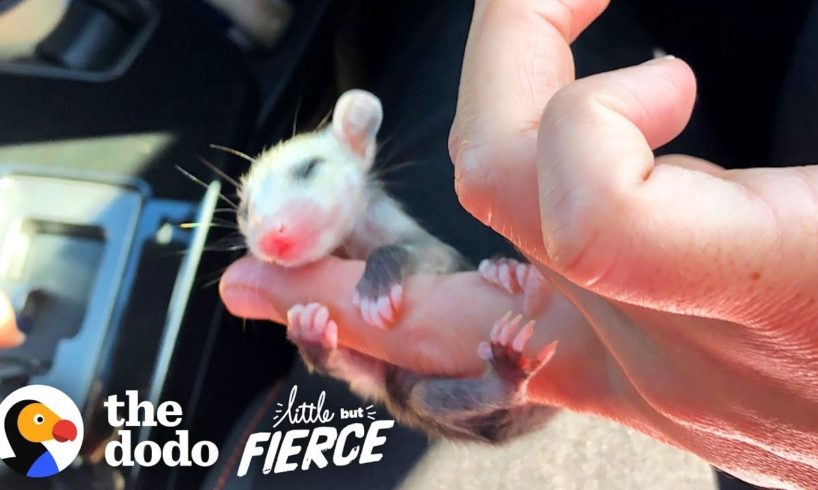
(504, 350)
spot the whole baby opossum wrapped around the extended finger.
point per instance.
(311, 196)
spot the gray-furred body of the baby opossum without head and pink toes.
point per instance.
(490, 408)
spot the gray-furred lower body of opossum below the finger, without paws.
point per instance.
(491, 408)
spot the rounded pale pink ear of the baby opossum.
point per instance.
(355, 122)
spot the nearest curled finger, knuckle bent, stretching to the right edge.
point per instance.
(672, 233)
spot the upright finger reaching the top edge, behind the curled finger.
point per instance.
(517, 56)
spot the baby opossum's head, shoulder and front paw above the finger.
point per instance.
(312, 195)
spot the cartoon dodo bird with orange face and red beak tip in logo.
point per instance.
(28, 425)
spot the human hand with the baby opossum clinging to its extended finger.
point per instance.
(695, 324)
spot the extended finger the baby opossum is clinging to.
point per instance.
(432, 334)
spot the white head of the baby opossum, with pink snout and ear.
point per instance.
(302, 197)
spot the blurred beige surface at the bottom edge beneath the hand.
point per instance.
(573, 452)
